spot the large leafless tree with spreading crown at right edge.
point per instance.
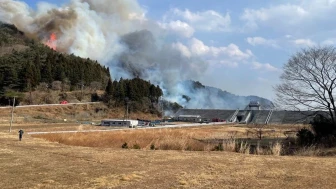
(308, 81)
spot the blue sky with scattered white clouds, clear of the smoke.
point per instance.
(246, 43)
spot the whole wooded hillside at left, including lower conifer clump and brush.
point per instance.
(44, 76)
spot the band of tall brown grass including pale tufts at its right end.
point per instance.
(194, 139)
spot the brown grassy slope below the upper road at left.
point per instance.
(73, 113)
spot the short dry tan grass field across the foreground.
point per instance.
(36, 163)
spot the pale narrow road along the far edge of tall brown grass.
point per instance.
(138, 128)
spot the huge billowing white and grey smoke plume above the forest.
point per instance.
(117, 34)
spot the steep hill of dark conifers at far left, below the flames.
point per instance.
(25, 63)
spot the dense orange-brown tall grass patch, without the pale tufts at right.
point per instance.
(163, 139)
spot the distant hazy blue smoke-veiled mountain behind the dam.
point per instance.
(206, 97)
